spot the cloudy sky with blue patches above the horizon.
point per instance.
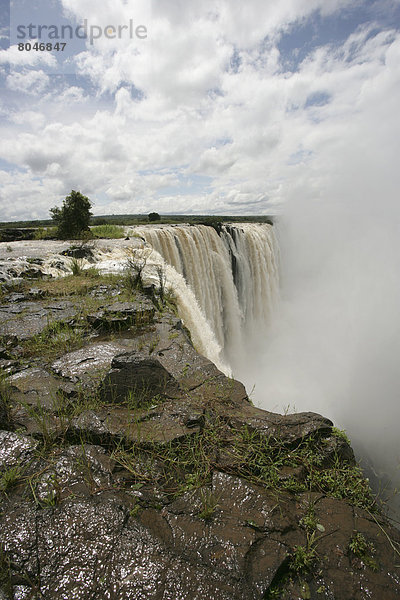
(224, 107)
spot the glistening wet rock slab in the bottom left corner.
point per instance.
(91, 548)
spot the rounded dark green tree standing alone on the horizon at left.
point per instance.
(72, 219)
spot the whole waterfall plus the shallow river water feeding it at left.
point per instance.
(225, 282)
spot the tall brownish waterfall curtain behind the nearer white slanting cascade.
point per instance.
(233, 276)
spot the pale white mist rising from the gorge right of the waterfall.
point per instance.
(334, 346)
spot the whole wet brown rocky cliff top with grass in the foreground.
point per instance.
(131, 468)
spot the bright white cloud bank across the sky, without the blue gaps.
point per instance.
(251, 128)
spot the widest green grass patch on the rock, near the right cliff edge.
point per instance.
(256, 458)
